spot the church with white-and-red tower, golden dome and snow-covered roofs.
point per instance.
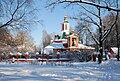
(68, 40)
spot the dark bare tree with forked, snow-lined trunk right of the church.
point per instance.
(99, 6)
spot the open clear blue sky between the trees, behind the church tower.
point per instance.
(51, 20)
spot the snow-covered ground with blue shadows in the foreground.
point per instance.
(82, 71)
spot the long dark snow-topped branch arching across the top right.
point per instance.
(95, 3)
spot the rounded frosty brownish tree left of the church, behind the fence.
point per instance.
(24, 42)
